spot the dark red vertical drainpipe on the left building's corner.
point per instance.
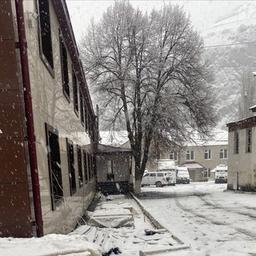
(29, 116)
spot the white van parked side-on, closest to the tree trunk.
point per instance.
(159, 178)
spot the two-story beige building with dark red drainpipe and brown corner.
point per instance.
(46, 118)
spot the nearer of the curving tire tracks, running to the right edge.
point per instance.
(240, 230)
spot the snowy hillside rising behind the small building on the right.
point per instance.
(231, 48)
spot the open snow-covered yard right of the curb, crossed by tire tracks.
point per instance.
(212, 221)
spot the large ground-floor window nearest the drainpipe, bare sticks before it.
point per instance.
(55, 176)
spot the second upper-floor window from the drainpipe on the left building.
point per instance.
(64, 68)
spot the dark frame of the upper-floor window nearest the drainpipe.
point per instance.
(49, 63)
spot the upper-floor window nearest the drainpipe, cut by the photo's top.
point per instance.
(45, 33)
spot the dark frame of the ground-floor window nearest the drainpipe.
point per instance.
(54, 202)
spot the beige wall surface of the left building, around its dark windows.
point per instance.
(51, 106)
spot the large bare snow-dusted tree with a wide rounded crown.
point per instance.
(148, 70)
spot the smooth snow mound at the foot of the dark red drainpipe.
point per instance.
(49, 245)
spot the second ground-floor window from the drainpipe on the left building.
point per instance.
(71, 167)
